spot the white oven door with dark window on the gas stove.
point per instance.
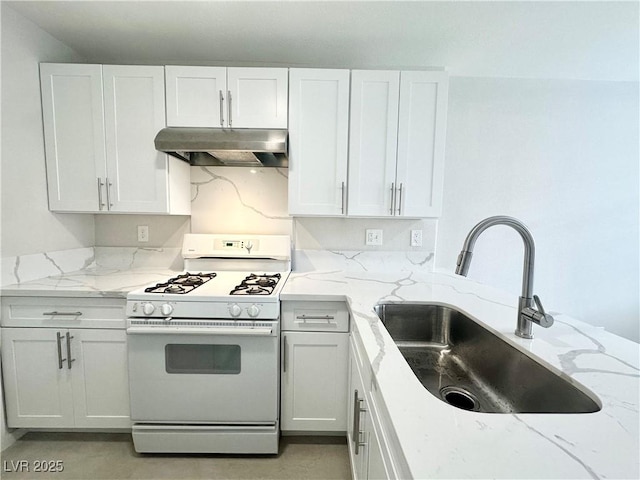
(203, 375)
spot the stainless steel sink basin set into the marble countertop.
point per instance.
(468, 366)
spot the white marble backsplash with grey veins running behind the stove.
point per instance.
(236, 200)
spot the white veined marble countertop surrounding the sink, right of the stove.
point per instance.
(441, 441)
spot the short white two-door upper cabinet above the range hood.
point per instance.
(226, 97)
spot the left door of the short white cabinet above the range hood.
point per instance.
(196, 96)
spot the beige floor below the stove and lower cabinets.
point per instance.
(88, 456)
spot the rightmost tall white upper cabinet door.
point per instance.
(421, 139)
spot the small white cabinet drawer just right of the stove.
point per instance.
(315, 316)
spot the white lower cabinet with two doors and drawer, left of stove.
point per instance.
(64, 377)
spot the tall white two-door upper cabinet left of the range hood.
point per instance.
(99, 125)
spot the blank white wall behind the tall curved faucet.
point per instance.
(562, 156)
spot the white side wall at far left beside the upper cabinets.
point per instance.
(26, 224)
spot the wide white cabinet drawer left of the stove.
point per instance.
(63, 312)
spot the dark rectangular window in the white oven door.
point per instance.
(203, 359)
